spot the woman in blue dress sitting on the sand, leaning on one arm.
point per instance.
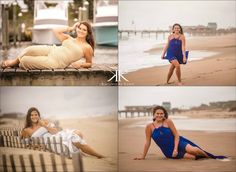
(162, 130)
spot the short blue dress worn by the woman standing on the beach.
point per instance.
(174, 51)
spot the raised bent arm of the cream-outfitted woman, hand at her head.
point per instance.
(59, 32)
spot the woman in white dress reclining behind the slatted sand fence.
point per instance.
(73, 139)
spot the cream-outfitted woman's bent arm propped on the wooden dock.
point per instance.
(88, 54)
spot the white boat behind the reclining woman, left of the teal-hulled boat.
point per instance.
(49, 14)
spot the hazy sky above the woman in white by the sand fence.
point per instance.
(60, 101)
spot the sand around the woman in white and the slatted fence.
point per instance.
(99, 132)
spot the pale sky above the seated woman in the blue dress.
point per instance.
(183, 97)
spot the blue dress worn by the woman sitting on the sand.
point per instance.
(164, 138)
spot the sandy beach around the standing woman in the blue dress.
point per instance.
(217, 70)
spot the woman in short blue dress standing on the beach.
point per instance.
(176, 52)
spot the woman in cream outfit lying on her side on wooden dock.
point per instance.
(59, 57)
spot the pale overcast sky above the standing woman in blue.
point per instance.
(162, 14)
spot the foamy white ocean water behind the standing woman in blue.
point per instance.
(133, 53)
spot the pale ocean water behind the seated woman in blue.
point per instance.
(209, 125)
